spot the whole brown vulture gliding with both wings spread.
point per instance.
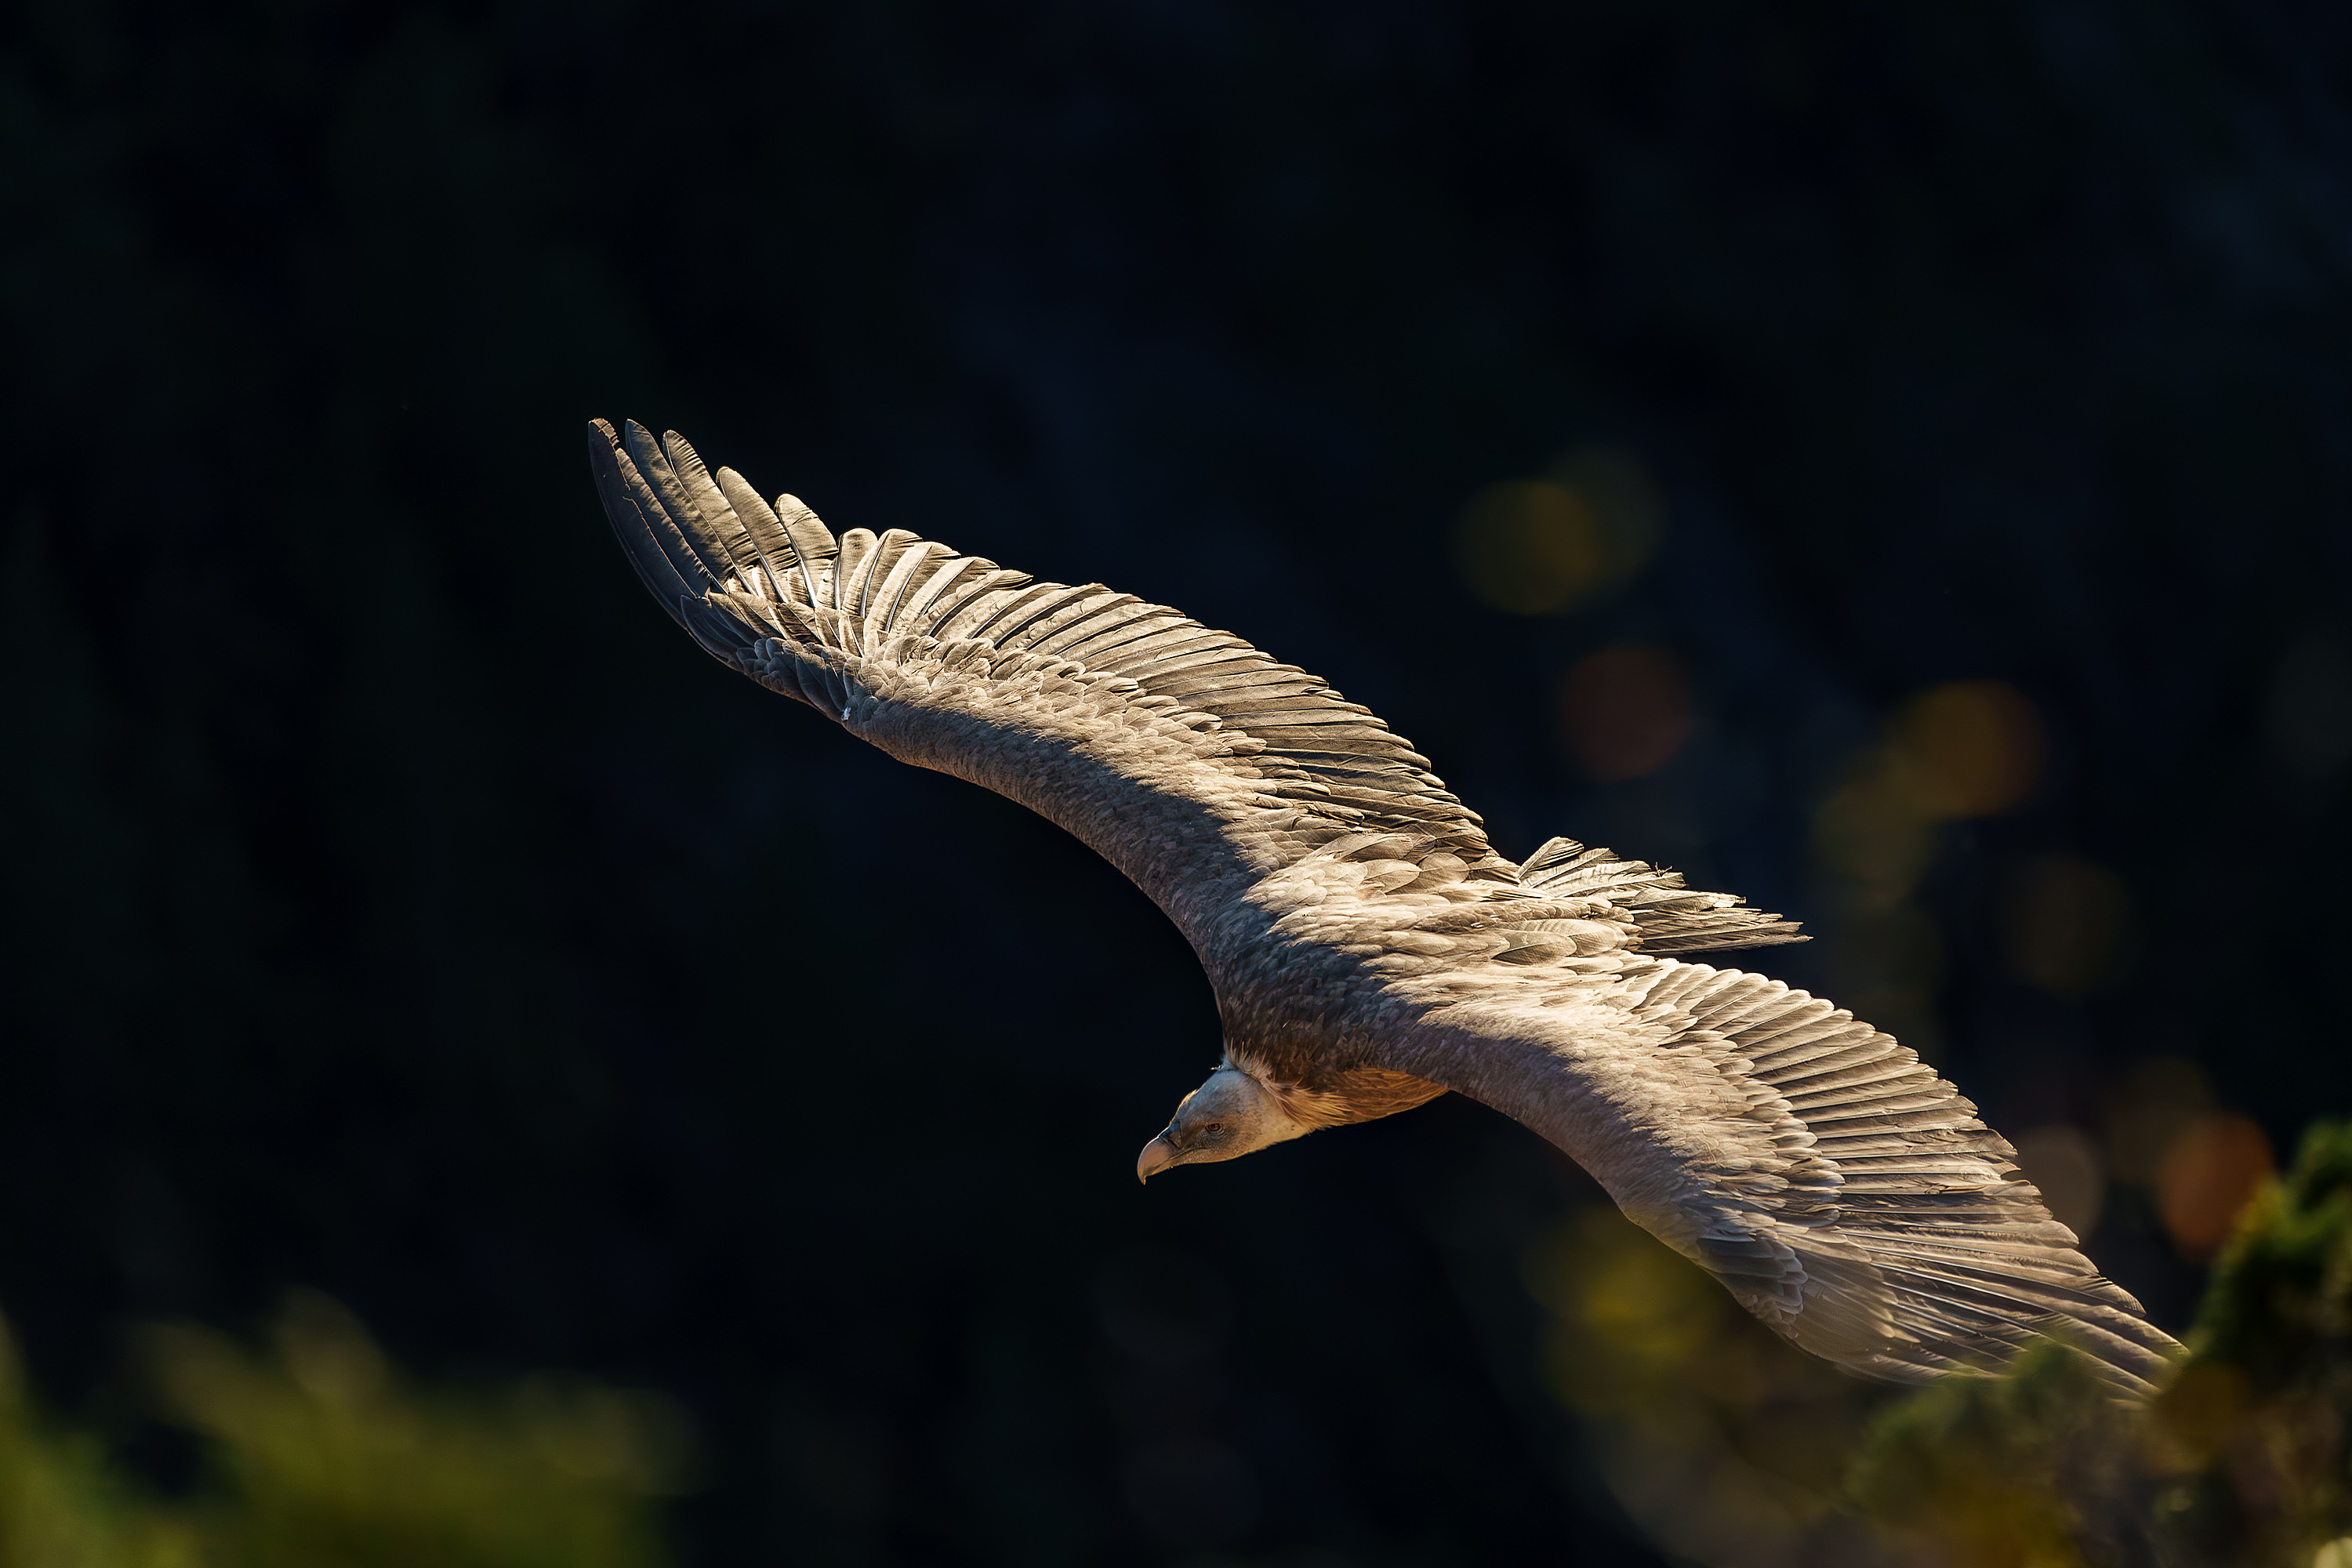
(1372, 951)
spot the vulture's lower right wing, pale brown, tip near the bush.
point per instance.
(1833, 1184)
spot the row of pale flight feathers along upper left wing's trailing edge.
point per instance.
(777, 596)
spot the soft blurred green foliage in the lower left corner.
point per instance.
(321, 1456)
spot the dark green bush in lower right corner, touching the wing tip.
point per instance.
(2238, 1461)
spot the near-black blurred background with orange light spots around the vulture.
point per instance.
(1885, 464)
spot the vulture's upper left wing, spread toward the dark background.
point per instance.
(1182, 753)
